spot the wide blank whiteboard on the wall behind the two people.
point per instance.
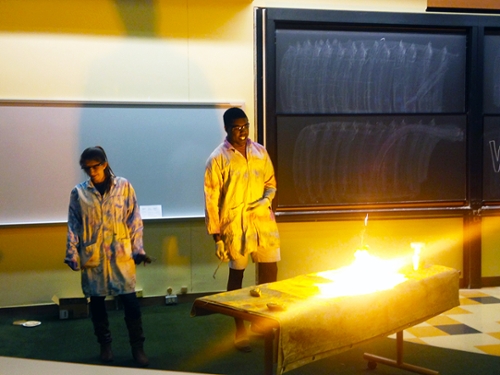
(160, 148)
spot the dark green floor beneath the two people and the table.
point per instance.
(176, 341)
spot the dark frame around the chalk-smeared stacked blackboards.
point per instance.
(271, 20)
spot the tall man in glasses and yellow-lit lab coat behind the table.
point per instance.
(239, 188)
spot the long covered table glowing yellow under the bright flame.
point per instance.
(310, 327)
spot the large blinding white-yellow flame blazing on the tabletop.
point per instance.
(367, 274)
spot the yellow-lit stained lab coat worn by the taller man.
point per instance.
(232, 182)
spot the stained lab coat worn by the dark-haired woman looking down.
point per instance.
(104, 233)
